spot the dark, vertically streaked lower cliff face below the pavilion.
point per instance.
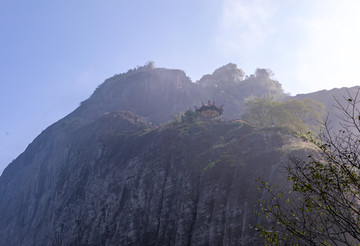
(117, 182)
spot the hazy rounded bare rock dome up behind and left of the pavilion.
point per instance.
(155, 94)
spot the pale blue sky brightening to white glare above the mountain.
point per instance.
(53, 54)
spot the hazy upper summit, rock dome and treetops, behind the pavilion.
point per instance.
(159, 94)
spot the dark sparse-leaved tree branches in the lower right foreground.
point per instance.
(322, 204)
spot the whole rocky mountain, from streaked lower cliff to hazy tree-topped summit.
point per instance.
(108, 174)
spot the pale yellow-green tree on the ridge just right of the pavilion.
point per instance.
(299, 116)
